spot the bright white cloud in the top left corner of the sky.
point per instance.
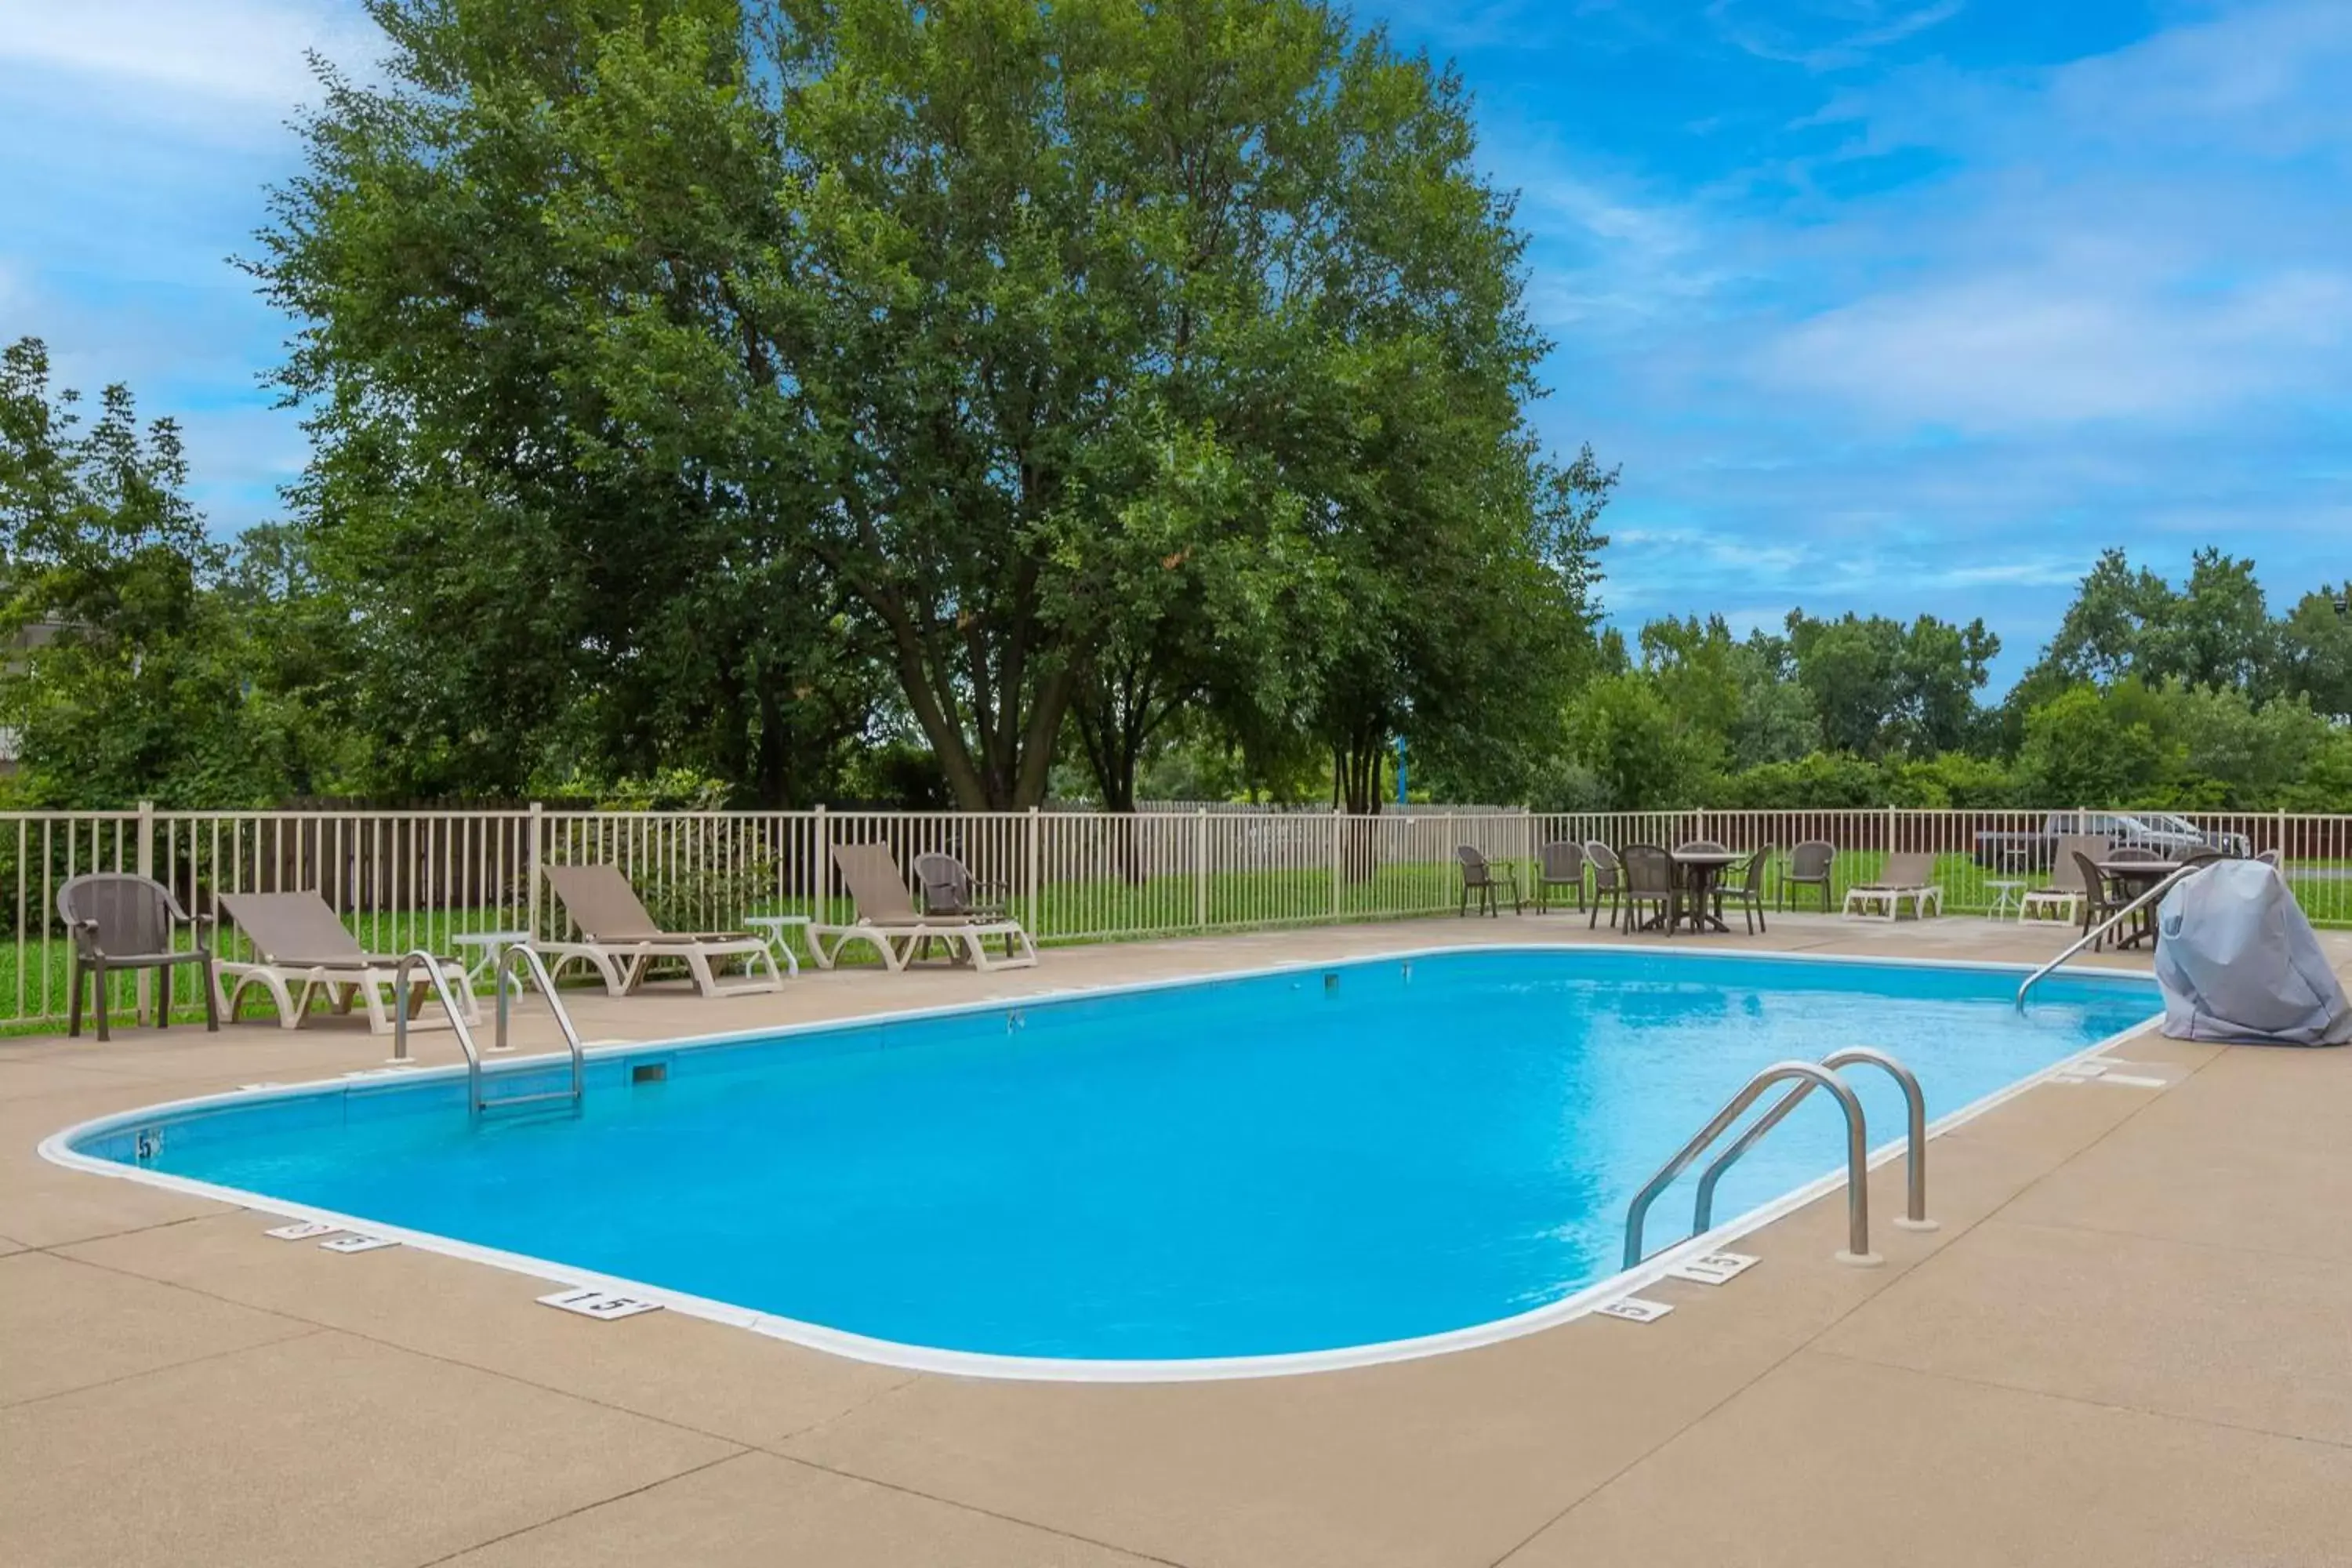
(222, 51)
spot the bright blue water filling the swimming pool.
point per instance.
(1245, 1167)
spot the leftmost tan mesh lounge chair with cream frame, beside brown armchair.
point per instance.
(300, 944)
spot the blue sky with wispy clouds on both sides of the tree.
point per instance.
(1883, 304)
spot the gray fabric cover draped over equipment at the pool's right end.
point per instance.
(2238, 960)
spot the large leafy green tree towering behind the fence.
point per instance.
(683, 363)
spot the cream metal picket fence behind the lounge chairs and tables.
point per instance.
(422, 878)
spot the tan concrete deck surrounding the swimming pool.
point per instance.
(2125, 1346)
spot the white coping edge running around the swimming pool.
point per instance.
(58, 1148)
